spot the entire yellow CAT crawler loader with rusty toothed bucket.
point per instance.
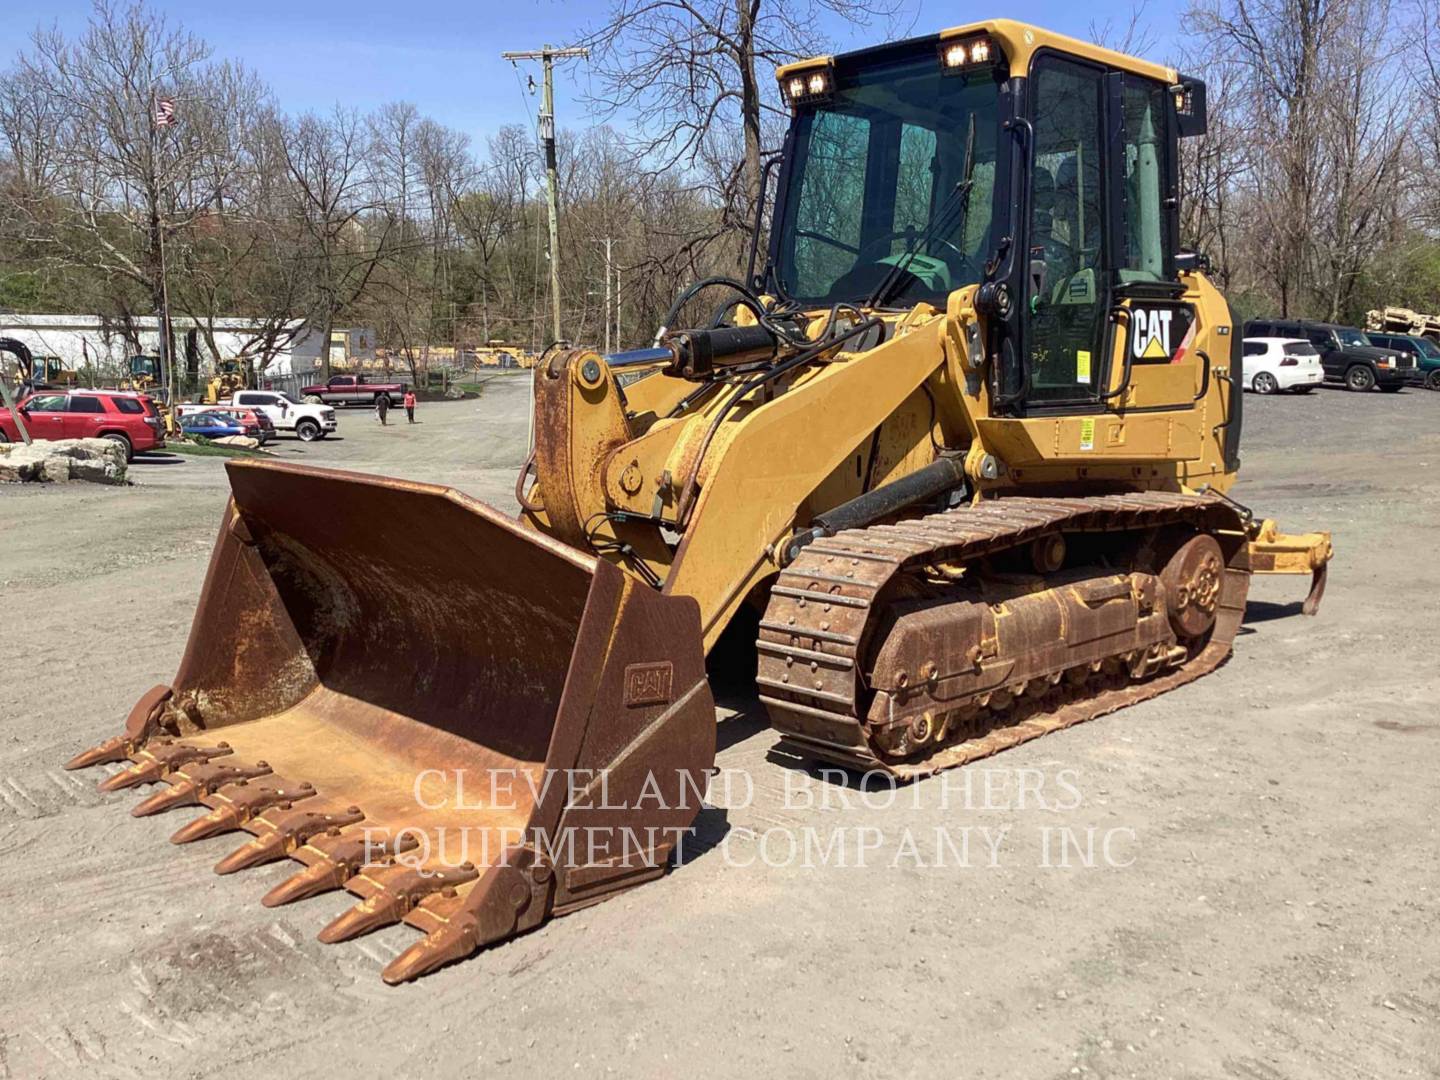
(950, 470)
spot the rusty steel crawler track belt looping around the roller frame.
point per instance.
(827, 603)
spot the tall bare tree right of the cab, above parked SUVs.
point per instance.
(1323, 113)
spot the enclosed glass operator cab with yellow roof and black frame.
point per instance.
(1039, 168)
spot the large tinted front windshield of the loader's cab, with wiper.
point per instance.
(875, 168)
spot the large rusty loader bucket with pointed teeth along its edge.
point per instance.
(466, 724)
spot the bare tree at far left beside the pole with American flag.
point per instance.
(120, 188)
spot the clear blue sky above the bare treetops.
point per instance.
(444, 55)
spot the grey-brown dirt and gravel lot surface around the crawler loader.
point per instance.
(1261, 901)
